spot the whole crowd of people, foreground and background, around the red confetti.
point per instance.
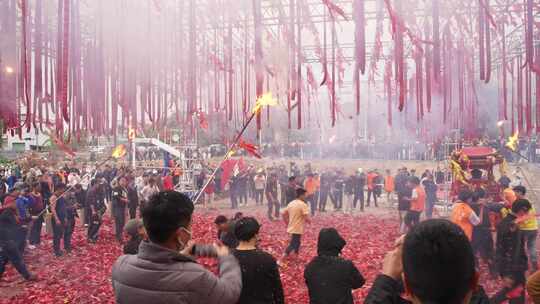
(160, 257)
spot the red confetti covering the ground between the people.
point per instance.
(84, 275)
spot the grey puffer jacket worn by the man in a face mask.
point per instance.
(159, 275)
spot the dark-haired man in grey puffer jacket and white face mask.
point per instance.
(164, 271)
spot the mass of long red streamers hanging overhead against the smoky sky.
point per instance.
(103, 83)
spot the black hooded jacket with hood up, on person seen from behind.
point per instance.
(330, 278)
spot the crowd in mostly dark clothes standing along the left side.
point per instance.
(59, 197)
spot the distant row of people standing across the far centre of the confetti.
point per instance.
(345, 192)
